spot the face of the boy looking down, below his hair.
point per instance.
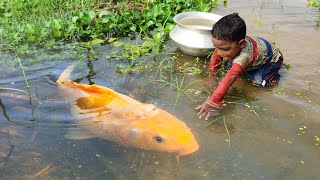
(228, 49)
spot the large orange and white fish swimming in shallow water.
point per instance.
(107, 114)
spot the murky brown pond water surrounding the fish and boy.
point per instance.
(272, 132)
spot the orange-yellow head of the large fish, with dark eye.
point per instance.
(160, 131)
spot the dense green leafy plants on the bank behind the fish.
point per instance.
(38, 21)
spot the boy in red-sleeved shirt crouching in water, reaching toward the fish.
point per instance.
(256, 58)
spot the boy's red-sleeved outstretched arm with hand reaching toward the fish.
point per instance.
(208, 108)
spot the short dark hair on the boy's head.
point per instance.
(230, 27)
